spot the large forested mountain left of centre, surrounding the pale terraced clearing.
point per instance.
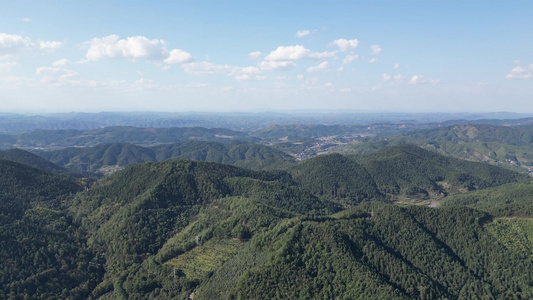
(149, 214)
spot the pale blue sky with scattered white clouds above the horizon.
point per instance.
(369, 56)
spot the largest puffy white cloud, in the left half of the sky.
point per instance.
(136, 47)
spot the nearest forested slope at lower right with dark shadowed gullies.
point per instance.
(377, 252)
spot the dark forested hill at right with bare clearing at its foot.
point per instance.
(411, 171)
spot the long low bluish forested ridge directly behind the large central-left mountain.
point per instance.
(108, 157)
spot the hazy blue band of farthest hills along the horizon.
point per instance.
(16, 123)
